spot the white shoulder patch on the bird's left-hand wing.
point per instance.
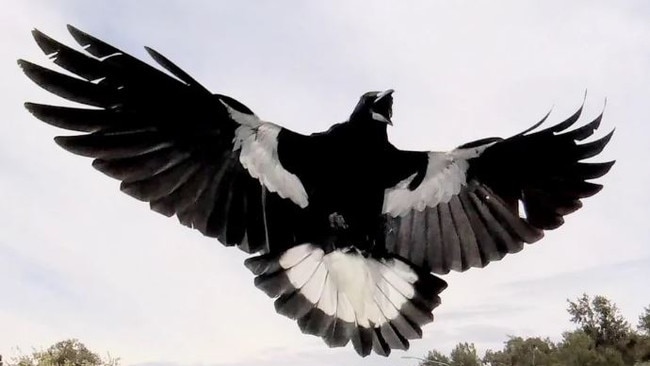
(258, 144)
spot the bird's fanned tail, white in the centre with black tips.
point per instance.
(377, 303)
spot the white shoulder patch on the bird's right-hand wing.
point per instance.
(444, 178)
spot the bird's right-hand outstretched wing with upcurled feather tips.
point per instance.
(465, 211)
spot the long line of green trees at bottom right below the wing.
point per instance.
(602, 337)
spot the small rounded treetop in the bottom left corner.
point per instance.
(69, 352)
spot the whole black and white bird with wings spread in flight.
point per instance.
(347, 231)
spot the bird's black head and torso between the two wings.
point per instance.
(344, 171)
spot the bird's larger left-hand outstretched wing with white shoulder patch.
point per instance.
(203, 157)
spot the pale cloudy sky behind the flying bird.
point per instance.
(80, 259)
